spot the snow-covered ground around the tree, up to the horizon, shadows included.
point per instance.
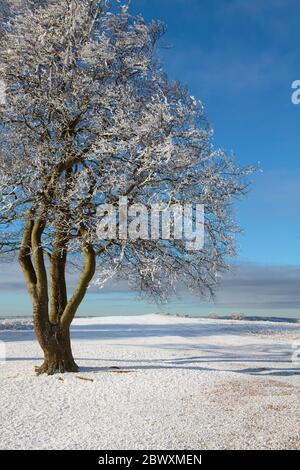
(155, 382)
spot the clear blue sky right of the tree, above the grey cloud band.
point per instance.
(240, 58)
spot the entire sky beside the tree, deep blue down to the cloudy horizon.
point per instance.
(240, 58)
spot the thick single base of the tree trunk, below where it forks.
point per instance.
(56, 345)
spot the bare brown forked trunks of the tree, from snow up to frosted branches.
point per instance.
(52, 328)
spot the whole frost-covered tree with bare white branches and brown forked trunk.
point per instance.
(90, 116)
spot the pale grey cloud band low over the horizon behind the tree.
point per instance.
(250, 289)
